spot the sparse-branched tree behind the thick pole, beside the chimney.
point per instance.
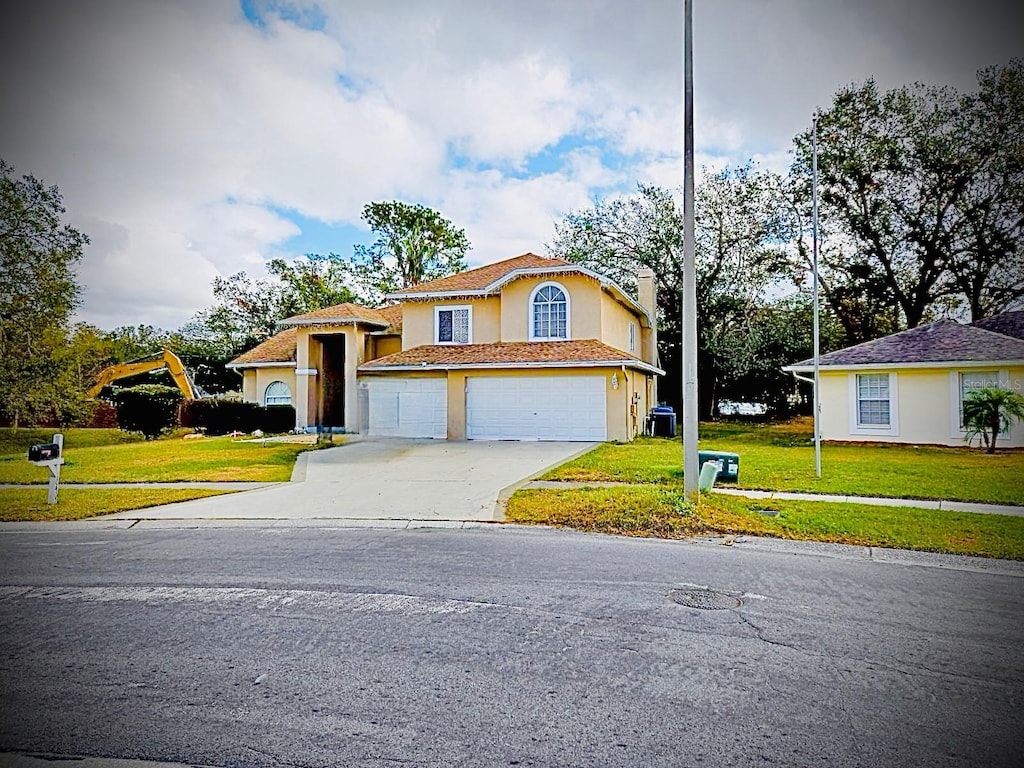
(739, 228)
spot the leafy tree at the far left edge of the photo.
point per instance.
(38, 252)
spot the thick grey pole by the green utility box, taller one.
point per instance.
(690, 352)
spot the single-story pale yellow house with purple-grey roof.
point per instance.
(911, 387)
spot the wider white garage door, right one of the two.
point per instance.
(540, 408)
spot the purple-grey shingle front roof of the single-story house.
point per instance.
(943, 342)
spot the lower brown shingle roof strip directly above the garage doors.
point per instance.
(577, 354)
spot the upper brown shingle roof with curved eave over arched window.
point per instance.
(489, 280)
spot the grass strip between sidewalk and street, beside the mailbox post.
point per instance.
(75, 504)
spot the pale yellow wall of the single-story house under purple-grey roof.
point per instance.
(927, 402)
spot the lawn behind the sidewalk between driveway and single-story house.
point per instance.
(782, 458)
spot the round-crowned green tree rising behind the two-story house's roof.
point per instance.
(415, 244)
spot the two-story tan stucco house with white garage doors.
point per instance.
(531, 349)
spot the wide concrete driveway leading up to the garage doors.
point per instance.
(390, 479)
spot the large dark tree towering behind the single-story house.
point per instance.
(923, 192)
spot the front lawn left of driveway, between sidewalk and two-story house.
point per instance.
(166, 460)
